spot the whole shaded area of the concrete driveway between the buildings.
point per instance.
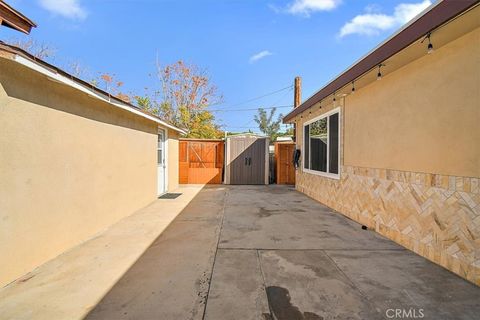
(269, 252)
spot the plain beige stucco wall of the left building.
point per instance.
(70, 166)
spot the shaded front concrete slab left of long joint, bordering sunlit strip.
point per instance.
(170, 280)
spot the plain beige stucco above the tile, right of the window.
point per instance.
(423, 117)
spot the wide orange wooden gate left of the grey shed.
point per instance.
(201, 161)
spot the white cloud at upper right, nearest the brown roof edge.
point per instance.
(373, 23)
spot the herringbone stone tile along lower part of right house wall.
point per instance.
(436, 216)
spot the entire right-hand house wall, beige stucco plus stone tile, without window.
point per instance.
(410, 157)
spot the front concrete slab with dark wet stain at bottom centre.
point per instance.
(308, 285)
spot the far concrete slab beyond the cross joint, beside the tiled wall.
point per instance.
(276, 217)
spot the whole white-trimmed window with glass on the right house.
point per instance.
(321, 141)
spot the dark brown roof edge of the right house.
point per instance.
(433, 18)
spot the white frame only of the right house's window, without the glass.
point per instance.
(323, 116)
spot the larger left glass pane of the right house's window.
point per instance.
(318, 145)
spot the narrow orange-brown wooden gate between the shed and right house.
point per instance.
(285, 170)
